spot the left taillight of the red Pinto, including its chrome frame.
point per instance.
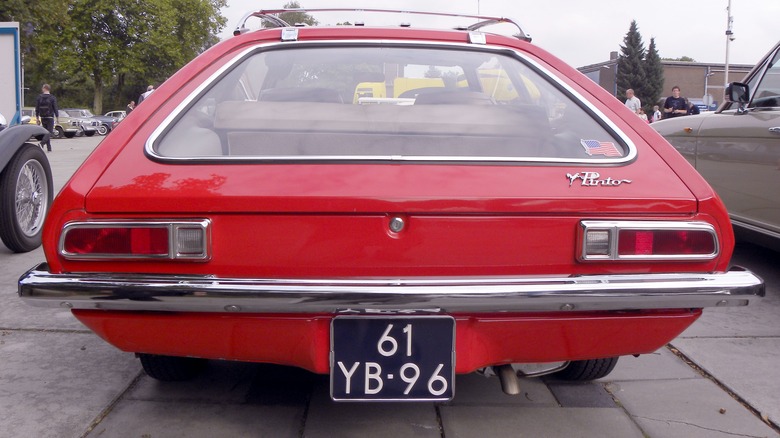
(130, 239)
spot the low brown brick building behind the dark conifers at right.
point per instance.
(695, 79)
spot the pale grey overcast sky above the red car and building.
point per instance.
(584, 32)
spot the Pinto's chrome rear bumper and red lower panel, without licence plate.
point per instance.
(285, 321)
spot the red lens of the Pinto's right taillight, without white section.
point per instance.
(665, 242)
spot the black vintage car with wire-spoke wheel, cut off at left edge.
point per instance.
(26, 188)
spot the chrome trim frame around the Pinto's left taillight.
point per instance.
(171, 225)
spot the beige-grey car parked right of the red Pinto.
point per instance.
(737, 150)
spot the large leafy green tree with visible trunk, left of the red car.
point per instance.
(113, 39)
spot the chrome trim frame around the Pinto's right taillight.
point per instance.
(614, 228)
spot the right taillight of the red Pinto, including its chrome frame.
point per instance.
(647, 240)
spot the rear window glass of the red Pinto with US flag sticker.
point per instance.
(386, 103)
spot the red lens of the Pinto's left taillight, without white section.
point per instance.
(141, 241)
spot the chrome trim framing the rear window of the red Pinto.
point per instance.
(241, 56)
